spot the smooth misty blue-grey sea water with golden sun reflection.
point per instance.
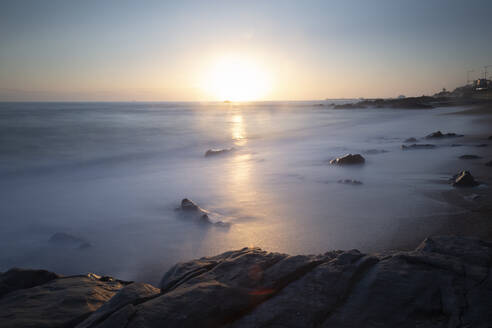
(114, 174)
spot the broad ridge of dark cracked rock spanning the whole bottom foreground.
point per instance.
(445, 282)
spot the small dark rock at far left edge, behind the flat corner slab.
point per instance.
(16, 278)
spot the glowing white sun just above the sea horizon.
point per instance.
(234, 78)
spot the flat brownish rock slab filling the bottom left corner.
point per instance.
(62, 302)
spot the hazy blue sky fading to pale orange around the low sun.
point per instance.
(257, 50)
